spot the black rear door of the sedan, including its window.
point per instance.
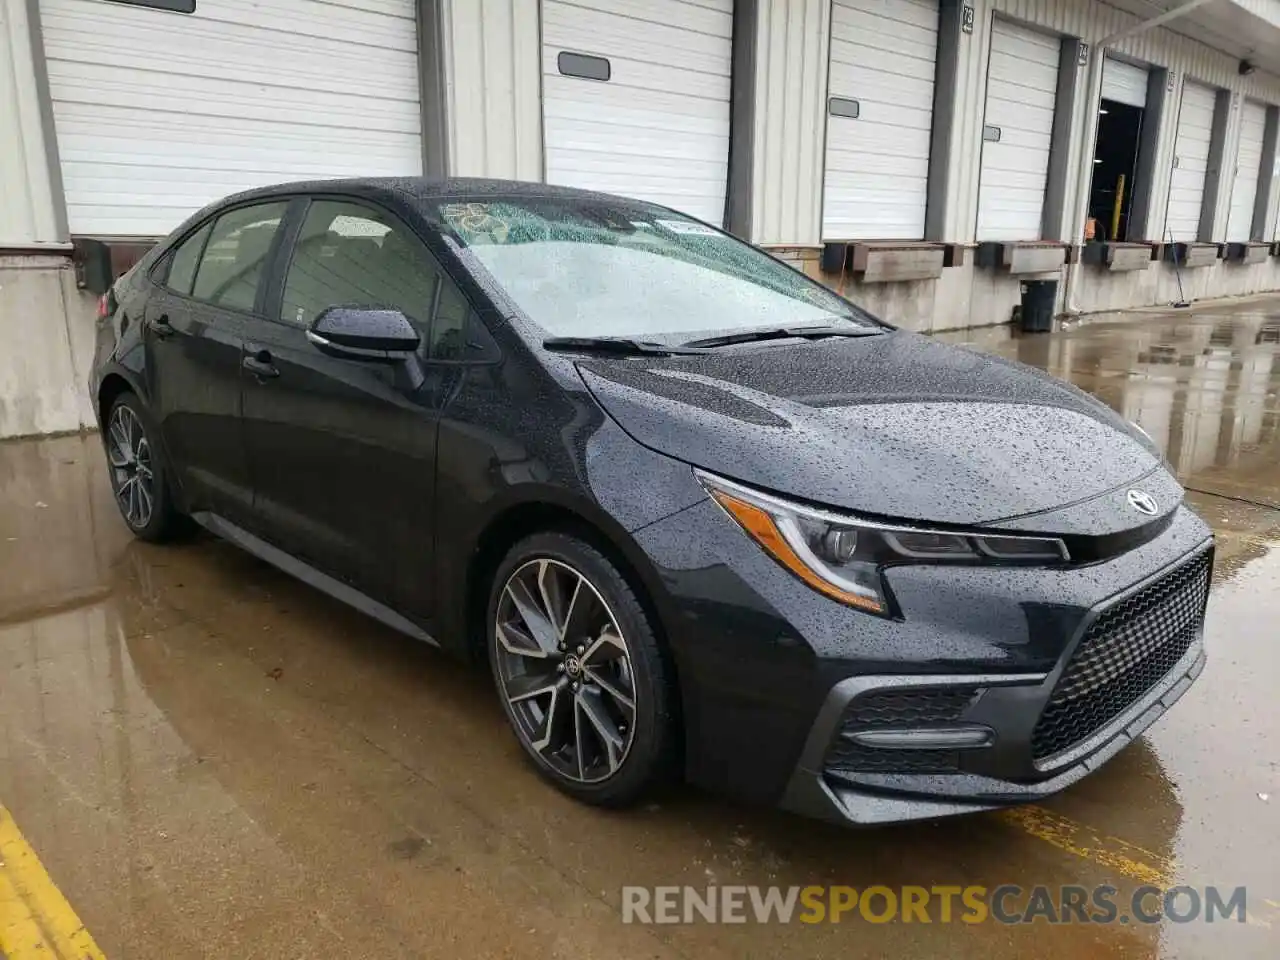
(212, 287)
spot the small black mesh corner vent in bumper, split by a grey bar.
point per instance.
(888, 710)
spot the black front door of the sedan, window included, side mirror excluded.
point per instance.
(342, 452)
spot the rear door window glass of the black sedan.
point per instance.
(235, 258)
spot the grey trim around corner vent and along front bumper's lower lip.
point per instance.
(899, 798)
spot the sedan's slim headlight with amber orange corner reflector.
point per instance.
(843, 557)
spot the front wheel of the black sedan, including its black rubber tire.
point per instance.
(580, 673)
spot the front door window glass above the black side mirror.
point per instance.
(353, 255)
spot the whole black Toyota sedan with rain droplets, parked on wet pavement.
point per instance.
(700, 515)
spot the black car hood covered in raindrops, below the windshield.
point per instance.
(894, 426)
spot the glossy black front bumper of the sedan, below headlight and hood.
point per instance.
(771, 673)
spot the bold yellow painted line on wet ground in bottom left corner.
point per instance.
(36, 922)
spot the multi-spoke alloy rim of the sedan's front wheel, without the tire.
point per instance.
(565, 671)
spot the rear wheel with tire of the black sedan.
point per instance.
(140, 476)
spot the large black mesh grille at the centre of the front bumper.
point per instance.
(1126, 652)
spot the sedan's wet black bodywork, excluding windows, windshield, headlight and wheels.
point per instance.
(982, 684)
